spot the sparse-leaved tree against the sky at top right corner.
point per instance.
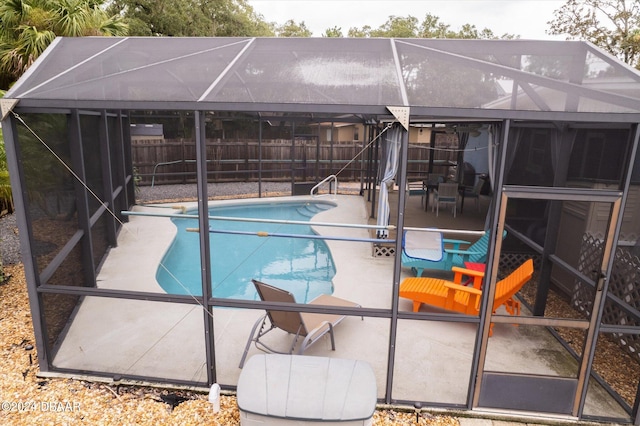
(613, 25)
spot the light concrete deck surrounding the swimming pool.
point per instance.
(133, 338)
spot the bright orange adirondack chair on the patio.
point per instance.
(453, 296)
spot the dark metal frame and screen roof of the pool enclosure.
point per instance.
(95, 83)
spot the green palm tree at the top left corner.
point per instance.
(27, 27)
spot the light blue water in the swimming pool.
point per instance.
(302, 266)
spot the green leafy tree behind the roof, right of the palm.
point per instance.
(191, 18)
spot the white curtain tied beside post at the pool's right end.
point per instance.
(389, 168)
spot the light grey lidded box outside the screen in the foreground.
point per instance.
(278, 389)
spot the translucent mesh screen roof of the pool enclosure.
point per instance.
(333, 76)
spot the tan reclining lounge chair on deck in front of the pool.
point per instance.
(311, 326)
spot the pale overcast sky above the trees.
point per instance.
(527, 18)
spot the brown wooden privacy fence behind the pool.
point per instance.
(165, 161)
